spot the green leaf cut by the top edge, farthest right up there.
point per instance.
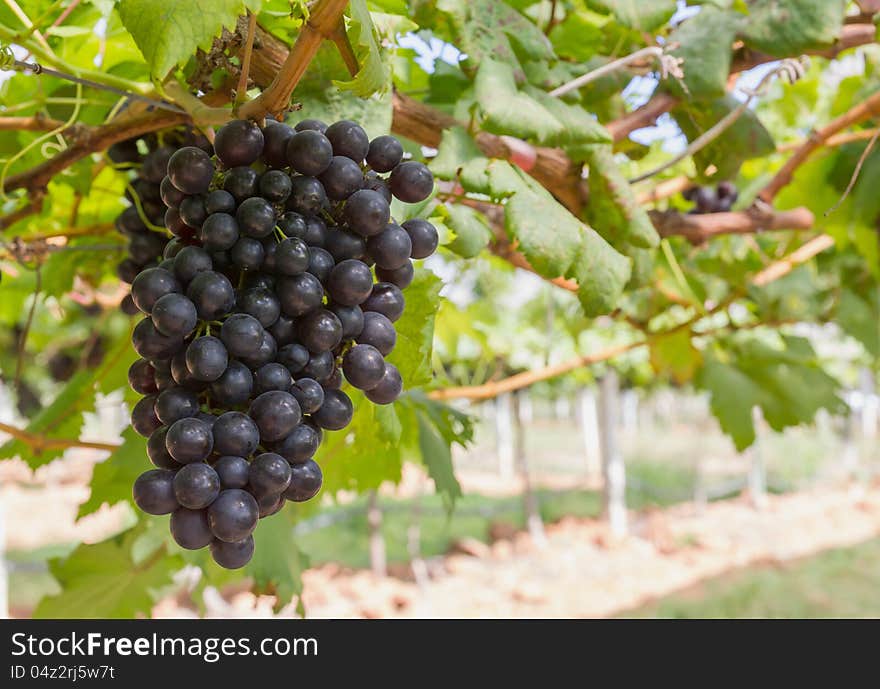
(784, 28)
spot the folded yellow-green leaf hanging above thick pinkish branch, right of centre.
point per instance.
(613, 209)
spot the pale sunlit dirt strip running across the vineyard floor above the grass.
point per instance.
(581, 570)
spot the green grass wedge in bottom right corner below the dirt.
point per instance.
(843, 582)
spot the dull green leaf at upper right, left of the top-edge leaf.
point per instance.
(704, 45)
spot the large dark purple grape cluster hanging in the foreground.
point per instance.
(283, 279)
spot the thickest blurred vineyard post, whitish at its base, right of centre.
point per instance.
(613, 470)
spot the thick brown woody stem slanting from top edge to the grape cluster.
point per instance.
(322, 21)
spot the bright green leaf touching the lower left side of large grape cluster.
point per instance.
(113, 478)
